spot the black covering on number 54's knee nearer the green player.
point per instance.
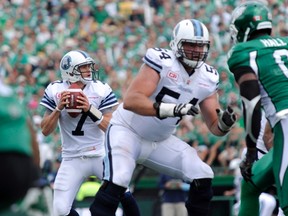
(199, 198)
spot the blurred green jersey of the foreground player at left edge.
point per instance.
(14, 132)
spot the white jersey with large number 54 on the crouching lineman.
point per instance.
(175, 86)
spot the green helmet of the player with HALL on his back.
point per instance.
(248, 18)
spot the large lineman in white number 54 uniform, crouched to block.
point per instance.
(169, 85)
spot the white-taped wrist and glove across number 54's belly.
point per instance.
(172, 110)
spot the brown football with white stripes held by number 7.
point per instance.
(71, 107)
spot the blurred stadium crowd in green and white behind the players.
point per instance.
(35, 34)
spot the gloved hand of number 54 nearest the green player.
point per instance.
(226, 119)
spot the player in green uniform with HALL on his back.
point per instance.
(259, 63)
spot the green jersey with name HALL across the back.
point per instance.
(268, 58)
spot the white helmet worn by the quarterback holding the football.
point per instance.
(69, 66)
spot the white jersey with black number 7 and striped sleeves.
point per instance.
(80, 136)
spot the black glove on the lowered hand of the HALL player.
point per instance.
(246, 164)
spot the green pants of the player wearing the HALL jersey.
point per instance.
(270, 169)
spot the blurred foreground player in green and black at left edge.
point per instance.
(19, 152)
